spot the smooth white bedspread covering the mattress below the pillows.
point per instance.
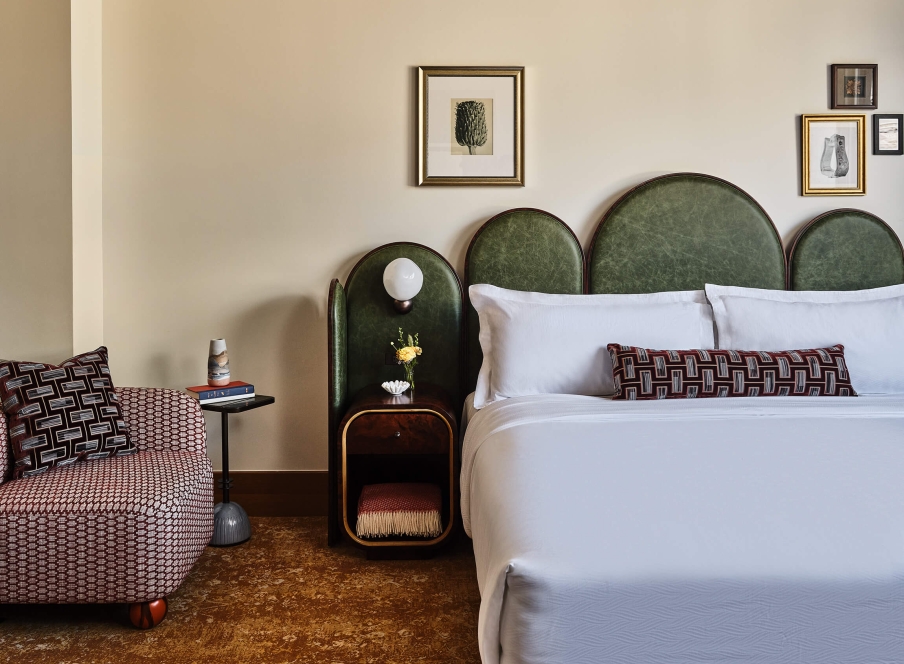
(752, 530)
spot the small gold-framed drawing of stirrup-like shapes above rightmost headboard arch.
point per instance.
(833, 155)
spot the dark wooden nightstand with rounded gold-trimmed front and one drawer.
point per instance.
(384, 439)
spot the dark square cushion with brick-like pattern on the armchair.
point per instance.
(59, 415)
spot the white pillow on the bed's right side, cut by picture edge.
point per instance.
(869, 323)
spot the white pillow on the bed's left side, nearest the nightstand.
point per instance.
(535, 343)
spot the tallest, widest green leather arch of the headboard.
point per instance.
(682, 231)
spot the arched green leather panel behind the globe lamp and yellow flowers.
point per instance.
(373, 322)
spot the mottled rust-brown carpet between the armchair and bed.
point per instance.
(282, 597)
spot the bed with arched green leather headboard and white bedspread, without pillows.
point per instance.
(743, 530)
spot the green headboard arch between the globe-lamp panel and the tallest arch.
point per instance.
(523, 249)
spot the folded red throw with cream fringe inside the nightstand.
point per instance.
(399, 509)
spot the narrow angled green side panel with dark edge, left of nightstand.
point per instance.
(337, 394)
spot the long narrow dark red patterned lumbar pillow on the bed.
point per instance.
(641, 373)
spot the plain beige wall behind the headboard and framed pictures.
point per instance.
(255, 149)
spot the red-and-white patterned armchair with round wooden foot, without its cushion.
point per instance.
(126, 529)
